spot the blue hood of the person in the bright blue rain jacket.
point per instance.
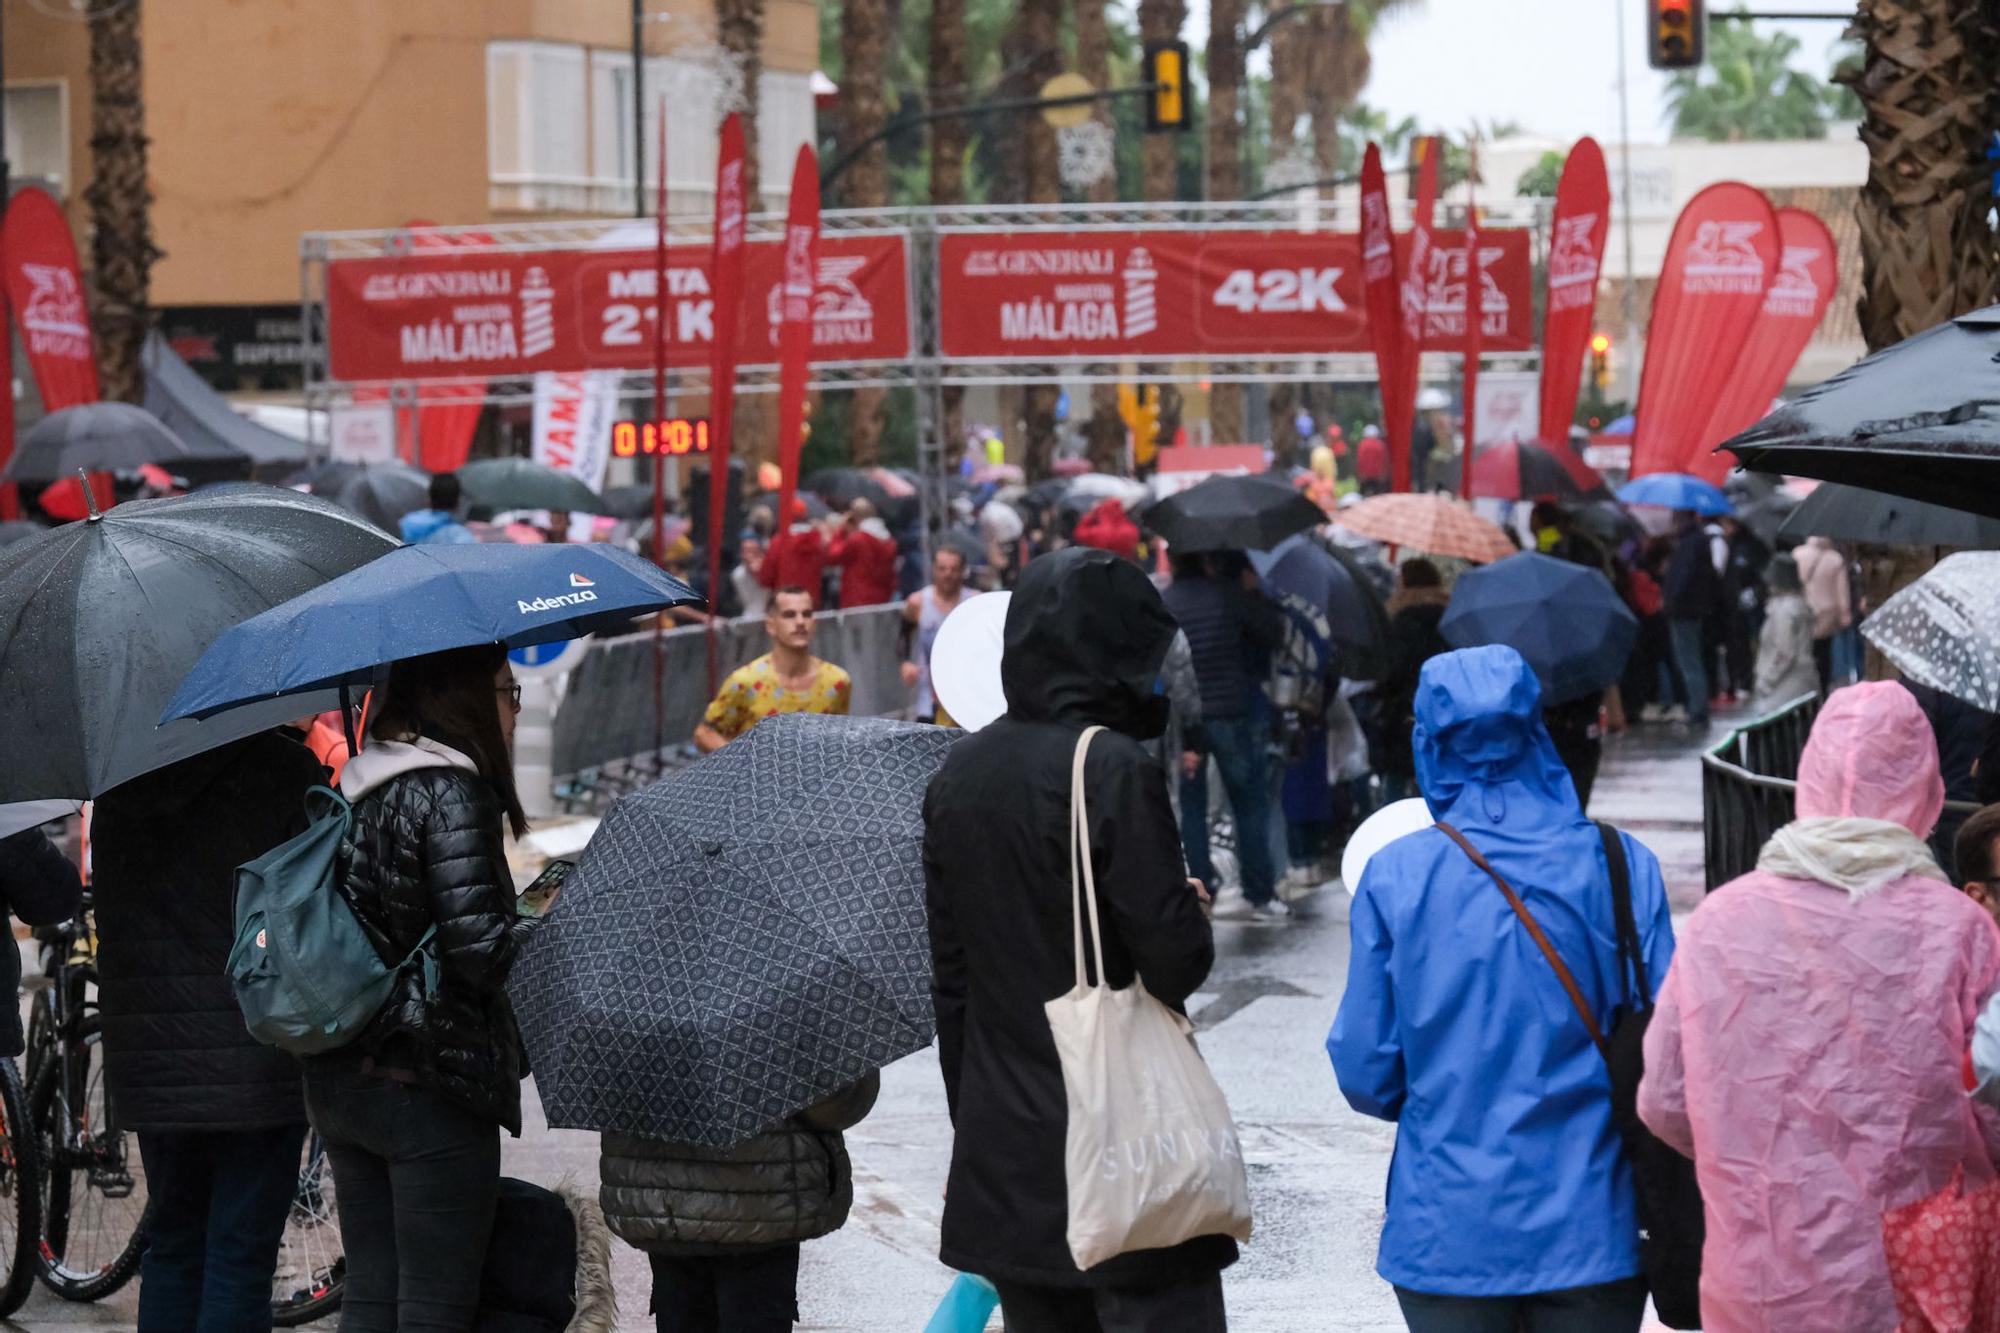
(1481, 742)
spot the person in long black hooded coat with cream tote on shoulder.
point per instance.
(1085, 643)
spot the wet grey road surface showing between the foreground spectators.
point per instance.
(1317, 1170)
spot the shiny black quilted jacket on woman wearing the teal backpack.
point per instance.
(429, 850)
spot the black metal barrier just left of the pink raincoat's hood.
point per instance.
(1749, 786)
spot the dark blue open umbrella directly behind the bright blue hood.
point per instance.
(1565, 619)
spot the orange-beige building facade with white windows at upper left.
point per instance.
(281, 117)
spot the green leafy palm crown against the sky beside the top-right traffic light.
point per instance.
(1747, 89)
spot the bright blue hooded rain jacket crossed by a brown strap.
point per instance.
(1509, 1176)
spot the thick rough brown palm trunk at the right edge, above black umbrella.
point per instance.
(1927, 89)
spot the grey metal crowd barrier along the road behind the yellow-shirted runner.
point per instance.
(605, 738)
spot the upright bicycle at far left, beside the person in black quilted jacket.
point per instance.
(93, 1192)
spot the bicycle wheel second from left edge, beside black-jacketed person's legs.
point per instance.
(95, 1188)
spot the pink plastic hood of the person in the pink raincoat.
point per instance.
(1873, 756)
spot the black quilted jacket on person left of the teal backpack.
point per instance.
(165, 850)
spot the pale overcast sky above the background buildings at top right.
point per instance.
(1549, 65)
